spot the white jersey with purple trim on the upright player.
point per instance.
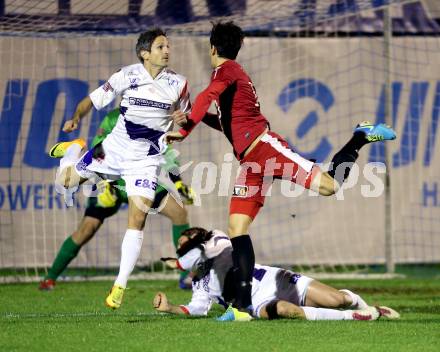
(145, 109)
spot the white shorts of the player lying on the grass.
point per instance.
(266, 287)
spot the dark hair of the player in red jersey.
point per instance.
(227, 38)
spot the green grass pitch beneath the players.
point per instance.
(74, 318)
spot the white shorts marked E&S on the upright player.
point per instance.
(140, 175)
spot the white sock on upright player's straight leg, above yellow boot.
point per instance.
(130, 250)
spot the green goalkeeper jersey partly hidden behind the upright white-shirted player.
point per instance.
(108, 123)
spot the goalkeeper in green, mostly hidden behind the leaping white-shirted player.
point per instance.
(109, 199)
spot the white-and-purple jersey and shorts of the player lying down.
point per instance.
(268, 282)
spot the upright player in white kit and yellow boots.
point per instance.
(150, 94)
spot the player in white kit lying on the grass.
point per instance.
(276, 292)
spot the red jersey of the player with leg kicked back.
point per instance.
(238, 109)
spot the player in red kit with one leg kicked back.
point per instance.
(263, 154)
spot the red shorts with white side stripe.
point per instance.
(270, 159)
